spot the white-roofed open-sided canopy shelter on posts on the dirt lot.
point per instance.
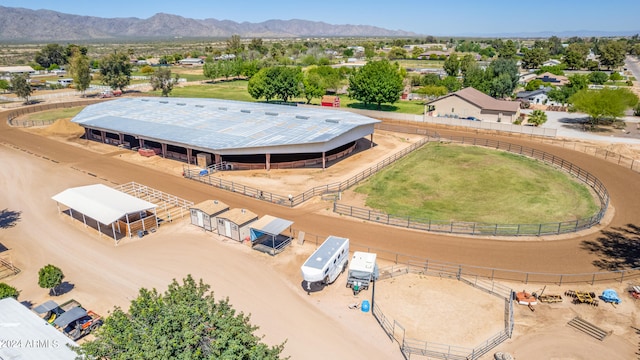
(103, 204)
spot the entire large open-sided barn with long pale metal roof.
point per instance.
(206, 131)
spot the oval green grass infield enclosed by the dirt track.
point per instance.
(459, 183)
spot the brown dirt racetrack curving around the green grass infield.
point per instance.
(537, 255)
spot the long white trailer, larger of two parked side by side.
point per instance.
(327, 262)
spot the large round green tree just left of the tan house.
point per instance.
(377, 82)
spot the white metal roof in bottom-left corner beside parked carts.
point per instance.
(28, 337)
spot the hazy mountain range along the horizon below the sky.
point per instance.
(19, 24)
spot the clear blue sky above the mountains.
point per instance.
(442, 17)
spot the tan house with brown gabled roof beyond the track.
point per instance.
(470, 102)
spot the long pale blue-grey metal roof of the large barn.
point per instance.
(222, 125)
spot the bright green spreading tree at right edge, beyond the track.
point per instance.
(603, 104)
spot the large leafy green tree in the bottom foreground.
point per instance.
(185, 322)
